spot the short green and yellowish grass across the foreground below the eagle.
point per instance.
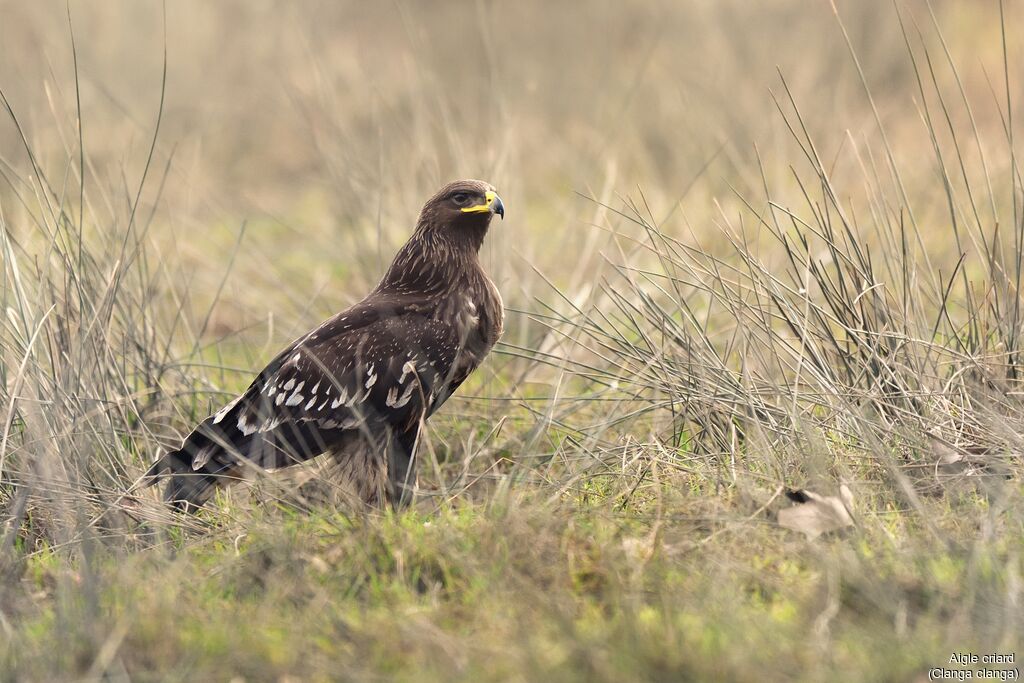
(562, 591)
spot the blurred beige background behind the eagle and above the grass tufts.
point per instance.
(325, 125)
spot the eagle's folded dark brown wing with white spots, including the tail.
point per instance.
(373, 371)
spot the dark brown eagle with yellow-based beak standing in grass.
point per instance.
(359, 388)
